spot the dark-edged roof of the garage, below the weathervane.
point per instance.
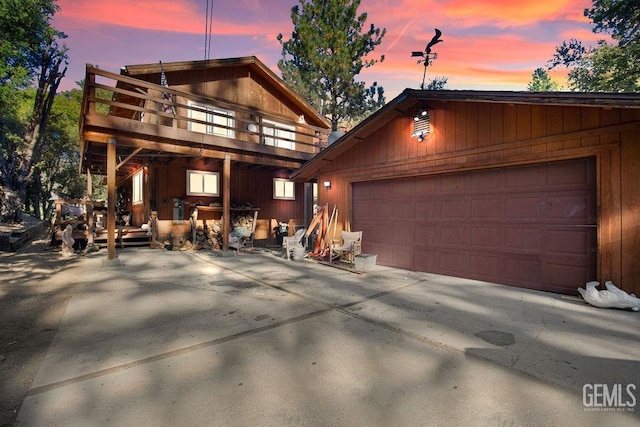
(409, 98)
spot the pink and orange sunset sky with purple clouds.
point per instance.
(488, 44)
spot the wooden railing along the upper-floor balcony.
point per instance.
(147, 104)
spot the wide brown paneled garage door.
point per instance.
(532, 226)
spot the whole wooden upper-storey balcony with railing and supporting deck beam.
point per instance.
(144, 116)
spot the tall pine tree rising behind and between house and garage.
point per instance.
(327, 50)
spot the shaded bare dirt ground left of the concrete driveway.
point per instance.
(31, 308)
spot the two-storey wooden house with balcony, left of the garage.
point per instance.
(220, 136)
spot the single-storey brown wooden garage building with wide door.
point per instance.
(536, 190)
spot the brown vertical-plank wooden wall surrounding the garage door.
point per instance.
(473, 135)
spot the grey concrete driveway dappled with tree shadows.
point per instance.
(186, 338)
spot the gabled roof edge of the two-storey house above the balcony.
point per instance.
(311, 114)
